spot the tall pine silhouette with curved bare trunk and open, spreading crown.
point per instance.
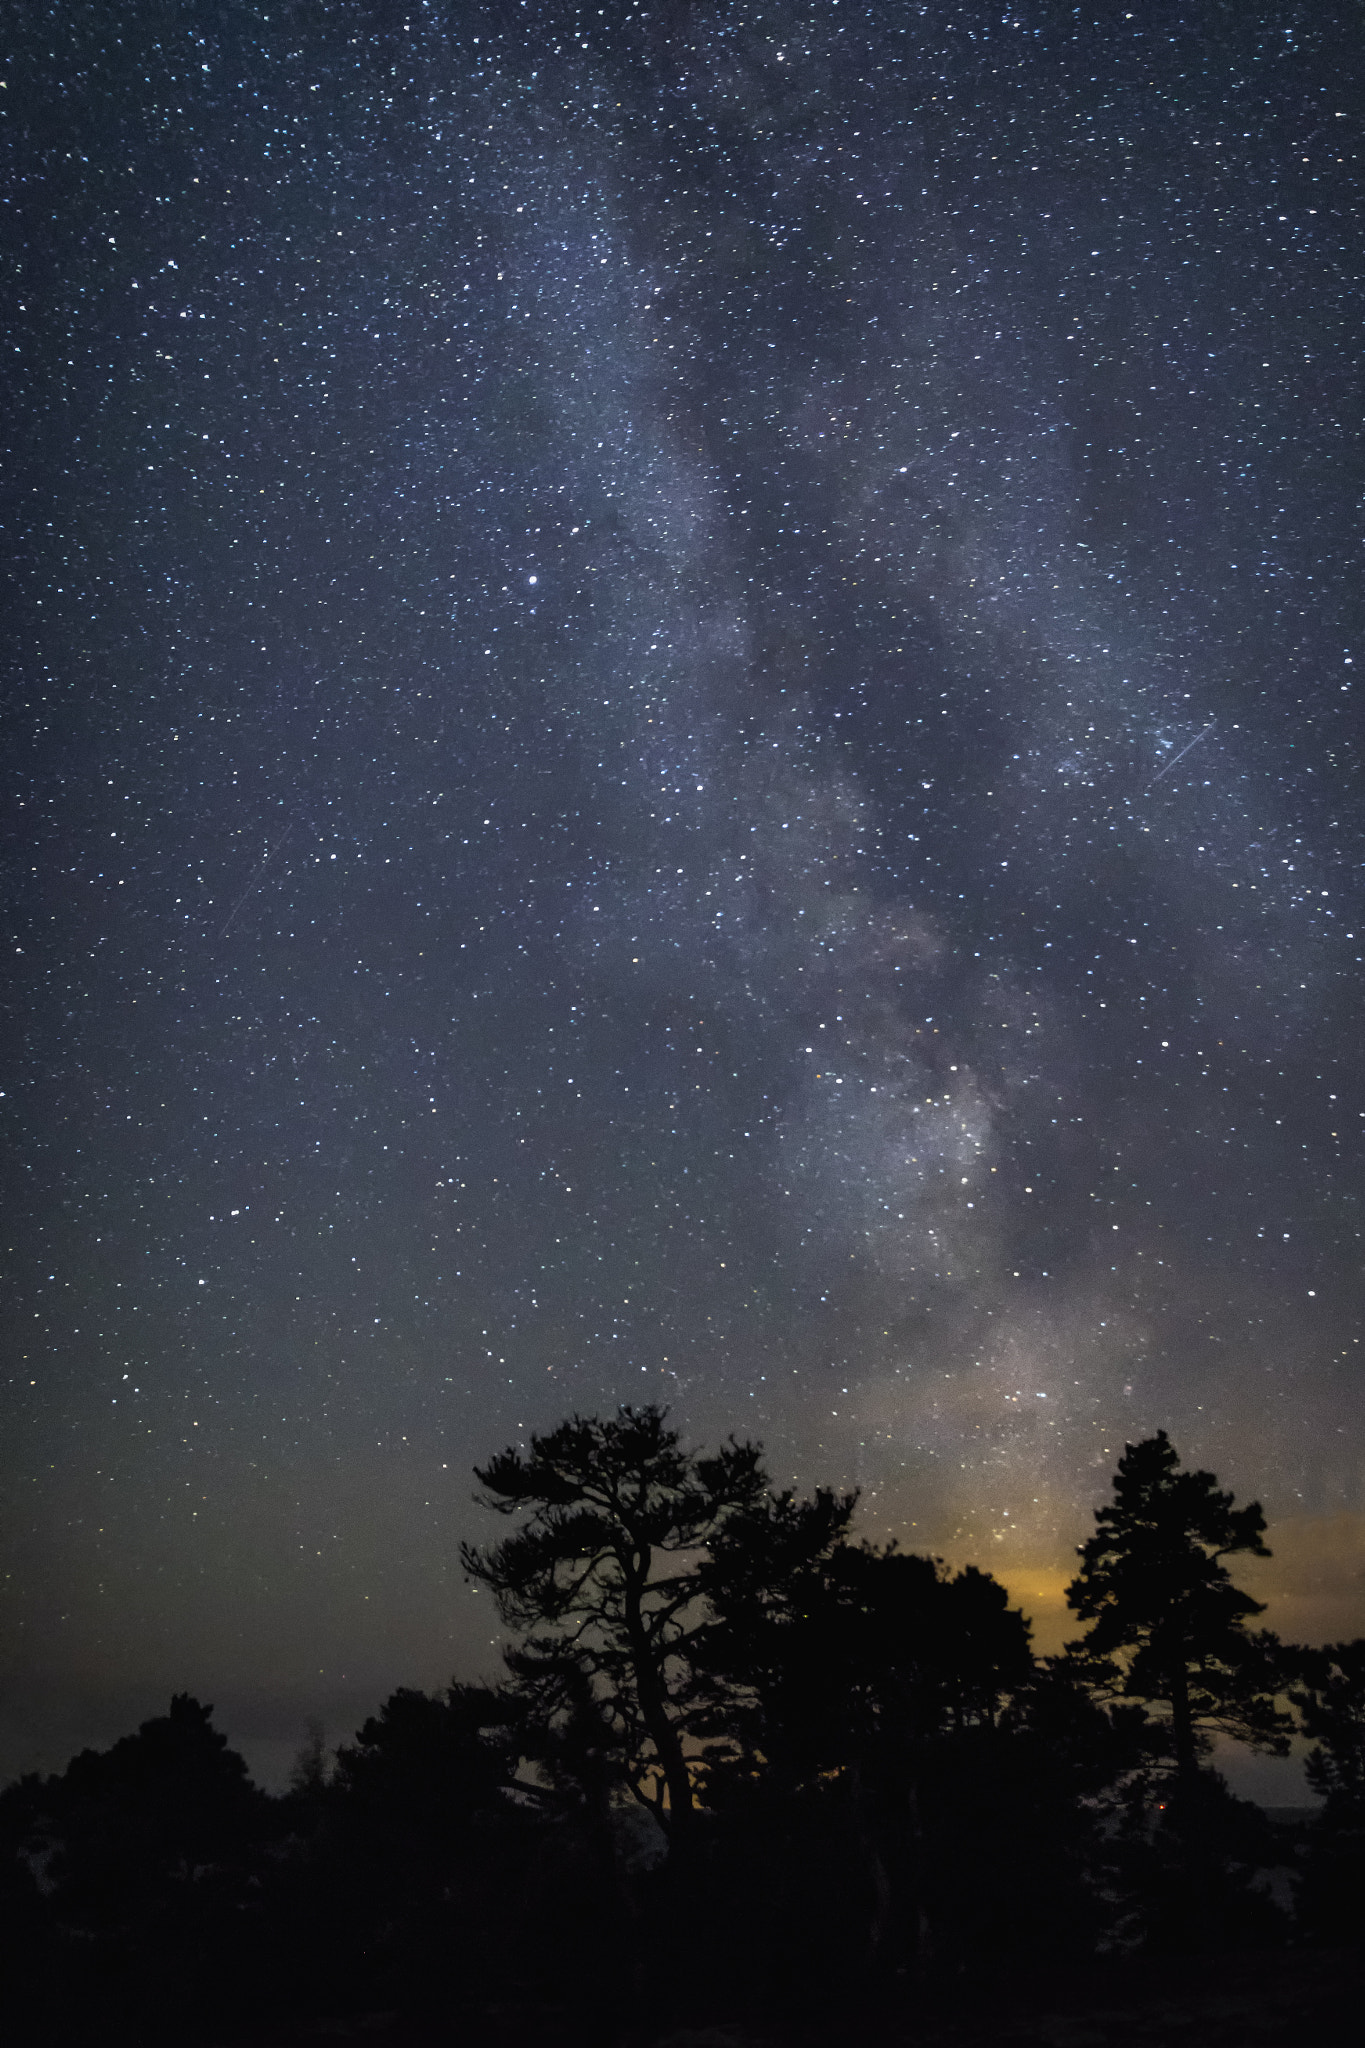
(603, 1584)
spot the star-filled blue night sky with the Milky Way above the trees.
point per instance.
(680, 724)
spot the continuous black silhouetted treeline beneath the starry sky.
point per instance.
(740, 1764)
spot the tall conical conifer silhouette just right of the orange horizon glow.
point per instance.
(1168, 1623)
